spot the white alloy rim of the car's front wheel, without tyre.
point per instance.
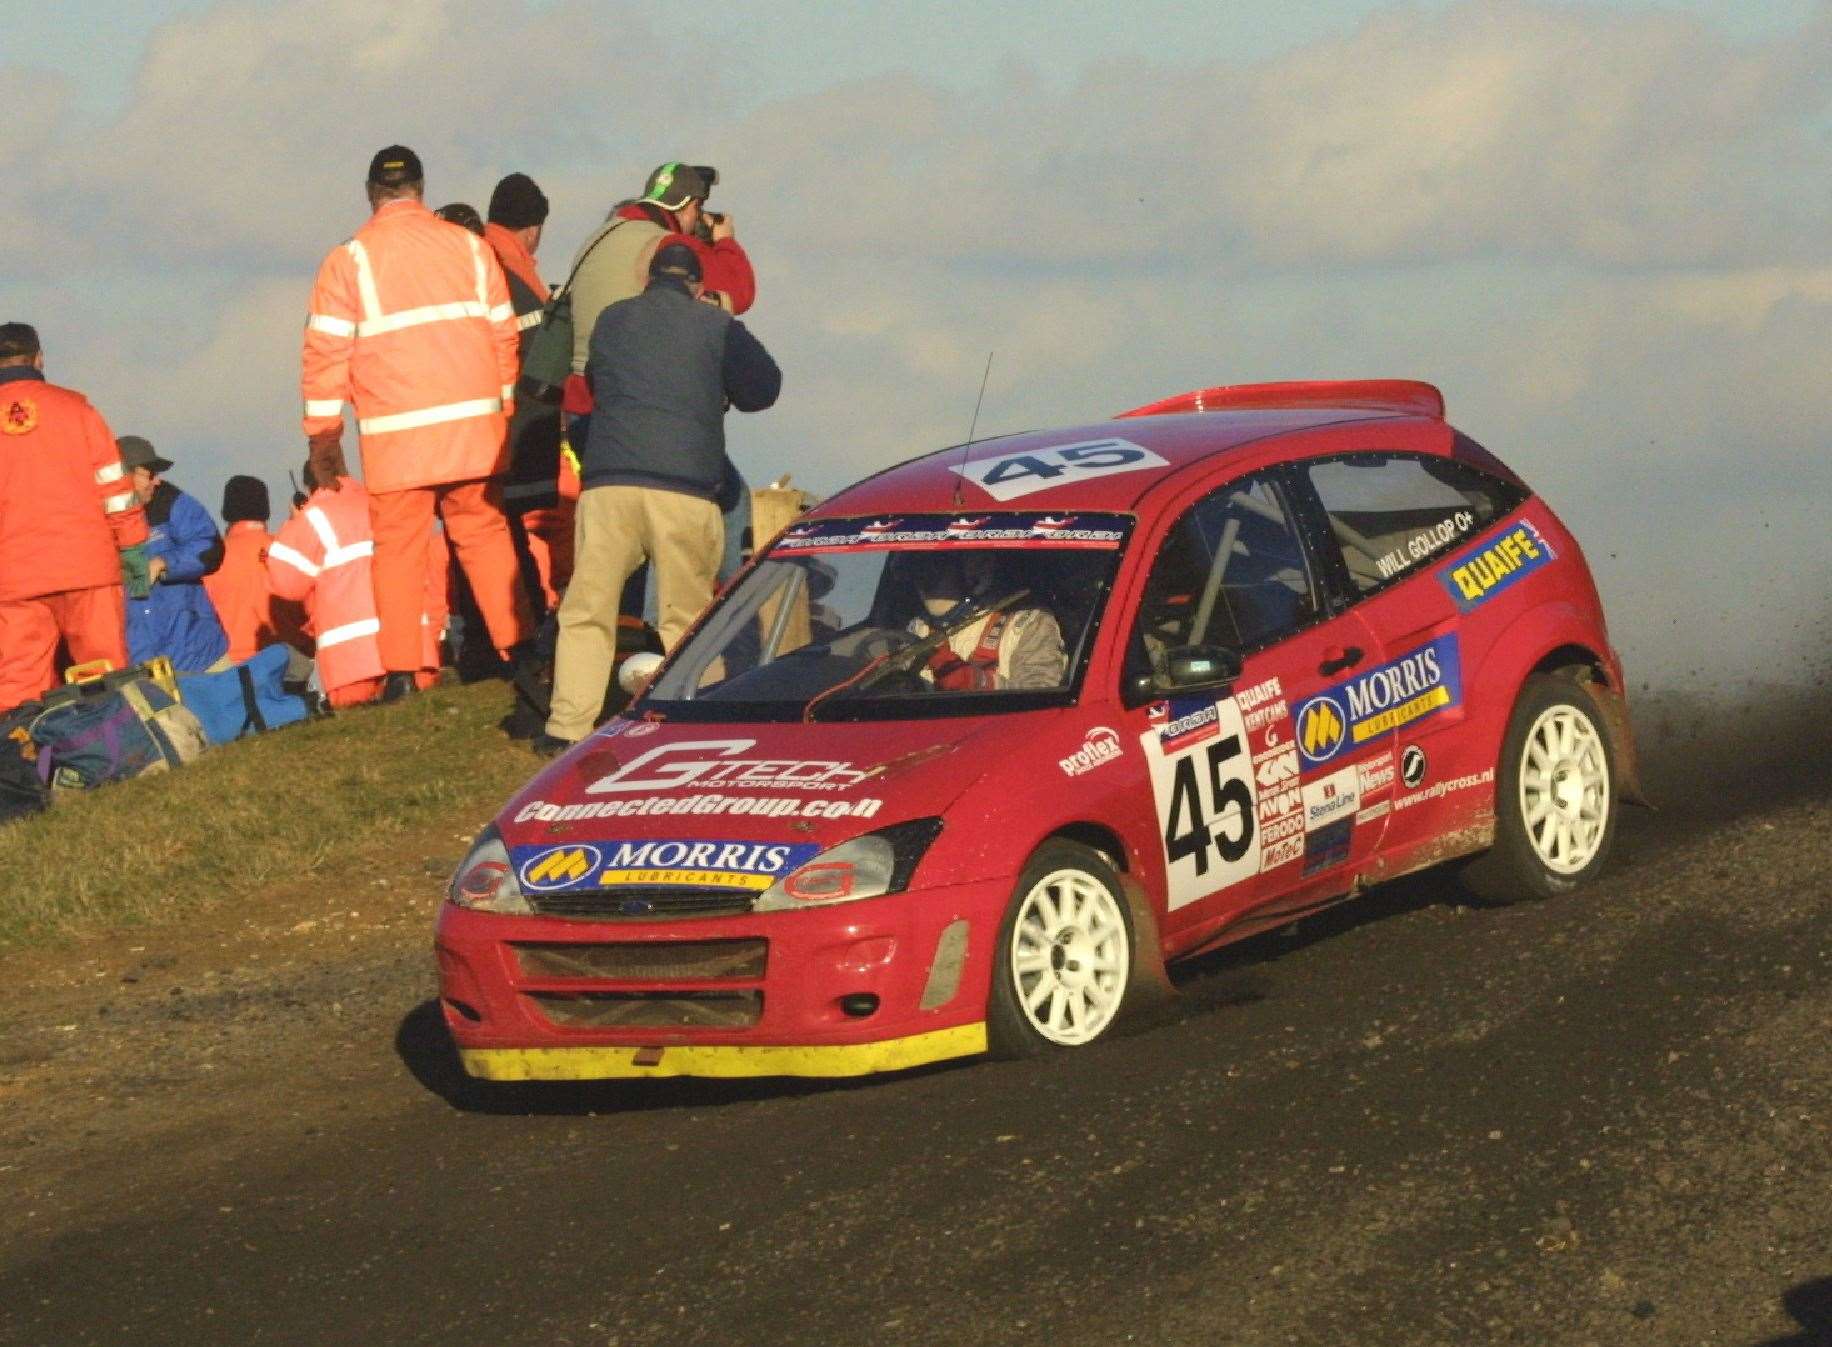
(1071, 956)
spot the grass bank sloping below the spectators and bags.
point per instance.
(309, 804)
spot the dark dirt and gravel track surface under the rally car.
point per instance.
(1410, 1121)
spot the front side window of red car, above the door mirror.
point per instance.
(1232, 573)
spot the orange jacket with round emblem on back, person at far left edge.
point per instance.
(67, 507)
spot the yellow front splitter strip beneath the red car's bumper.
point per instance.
(725, 1060)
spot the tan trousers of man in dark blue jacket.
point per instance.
(615, 531)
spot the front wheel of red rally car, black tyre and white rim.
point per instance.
(1065, 954)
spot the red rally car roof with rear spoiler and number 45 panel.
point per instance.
(1184, 430)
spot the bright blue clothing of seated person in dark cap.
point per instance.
(177, 619)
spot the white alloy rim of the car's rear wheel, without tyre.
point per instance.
(1565, 789)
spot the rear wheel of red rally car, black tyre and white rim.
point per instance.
(1556, 798)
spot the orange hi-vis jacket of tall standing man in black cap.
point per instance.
(411, 323)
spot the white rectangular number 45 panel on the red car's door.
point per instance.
(1203, 782)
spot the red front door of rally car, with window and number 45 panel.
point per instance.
(1238, 822)
